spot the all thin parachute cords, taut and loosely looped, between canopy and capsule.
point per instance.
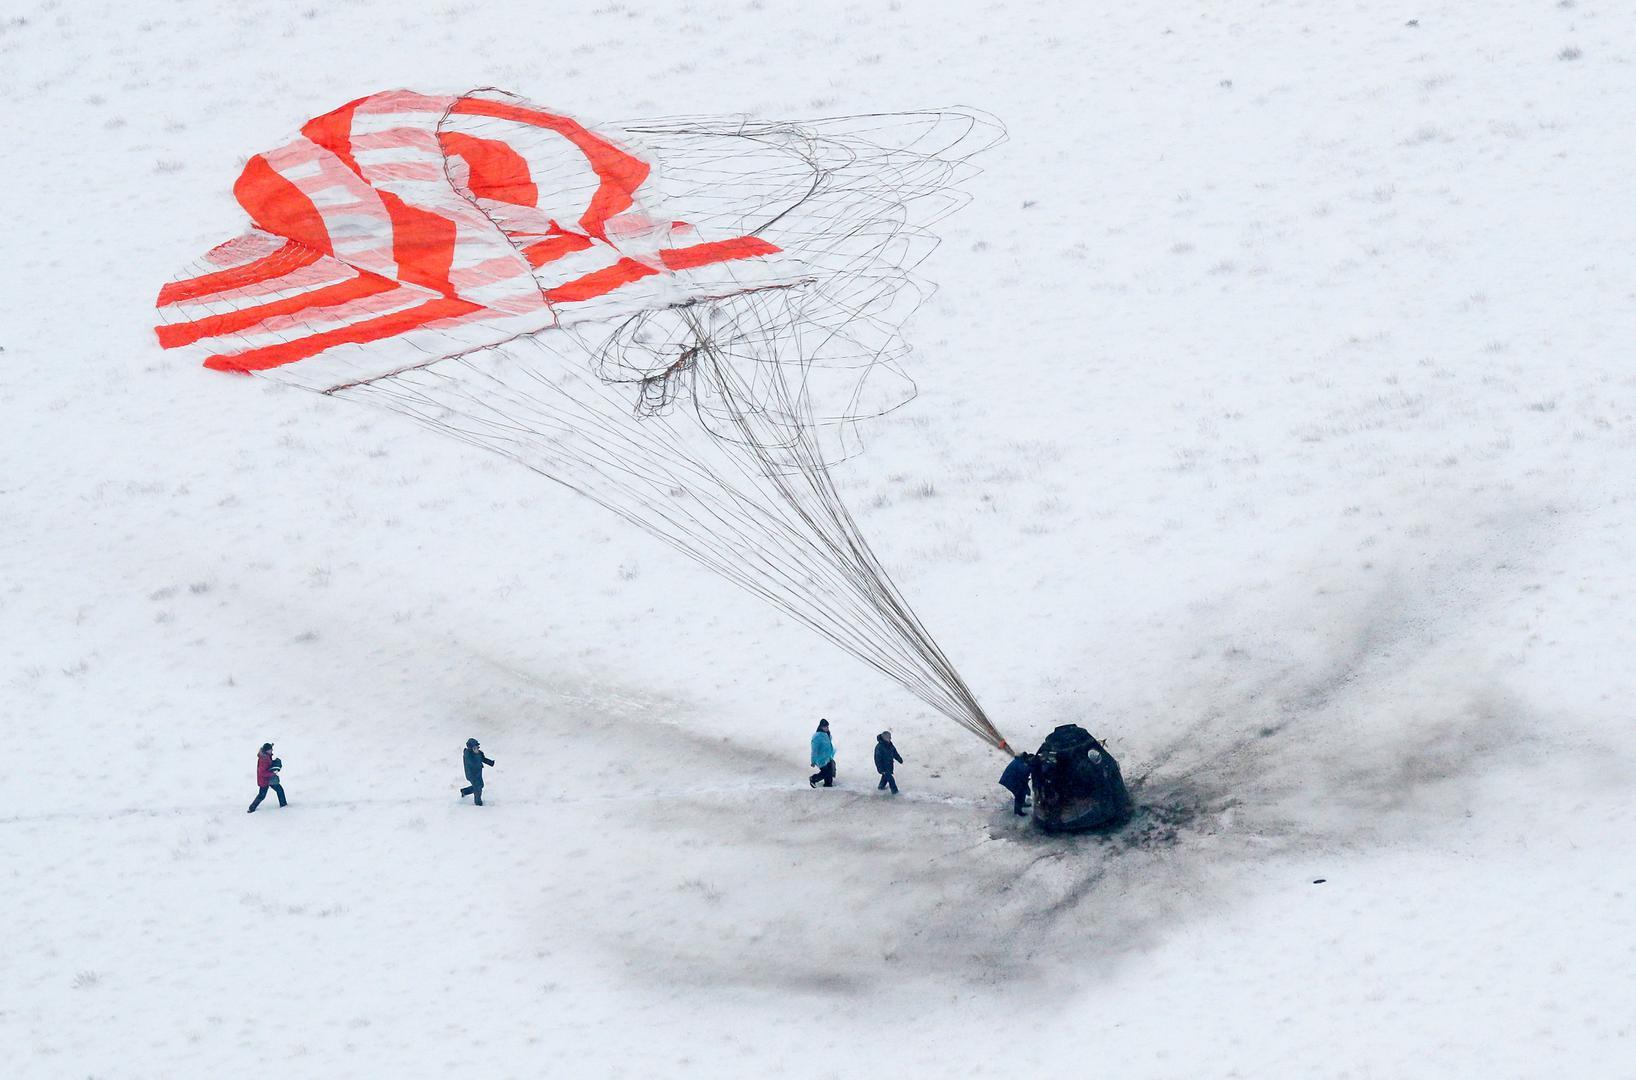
(712, 423)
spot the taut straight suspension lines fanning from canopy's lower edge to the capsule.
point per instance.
(778, 531)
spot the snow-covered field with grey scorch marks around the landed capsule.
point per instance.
(1277, 423)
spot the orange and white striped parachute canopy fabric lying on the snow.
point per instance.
(403, 228)
